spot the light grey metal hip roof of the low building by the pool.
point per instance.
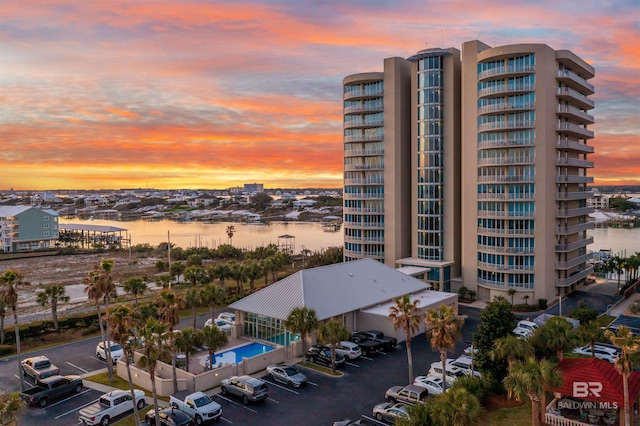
(331, 290)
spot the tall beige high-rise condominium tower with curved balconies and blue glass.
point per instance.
(472, 165)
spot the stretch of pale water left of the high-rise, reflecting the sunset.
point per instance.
(307, 235)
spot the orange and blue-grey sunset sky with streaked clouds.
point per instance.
(211, 94)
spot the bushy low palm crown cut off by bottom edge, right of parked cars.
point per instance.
(457, 407)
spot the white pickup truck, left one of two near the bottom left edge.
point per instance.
(110, 405)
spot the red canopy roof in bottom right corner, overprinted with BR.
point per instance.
(595, 380)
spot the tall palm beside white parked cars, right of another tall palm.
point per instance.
(445, 327)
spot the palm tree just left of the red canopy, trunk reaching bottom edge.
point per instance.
(529, 378)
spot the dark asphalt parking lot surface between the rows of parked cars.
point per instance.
(324, 400)
